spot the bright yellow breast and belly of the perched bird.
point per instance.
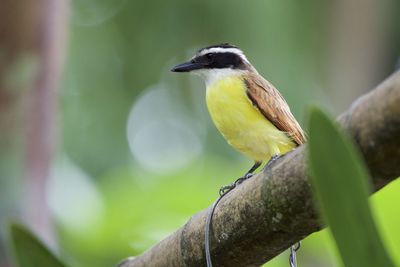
(241, 123)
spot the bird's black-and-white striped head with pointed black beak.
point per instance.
(215, 61)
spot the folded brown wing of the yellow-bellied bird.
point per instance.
(273, 106)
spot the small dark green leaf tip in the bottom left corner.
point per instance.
(29, 251)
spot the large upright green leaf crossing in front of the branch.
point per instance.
(341, 184)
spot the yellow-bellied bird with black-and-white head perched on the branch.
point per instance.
(248, 110)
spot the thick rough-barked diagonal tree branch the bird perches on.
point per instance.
(268, 213)
